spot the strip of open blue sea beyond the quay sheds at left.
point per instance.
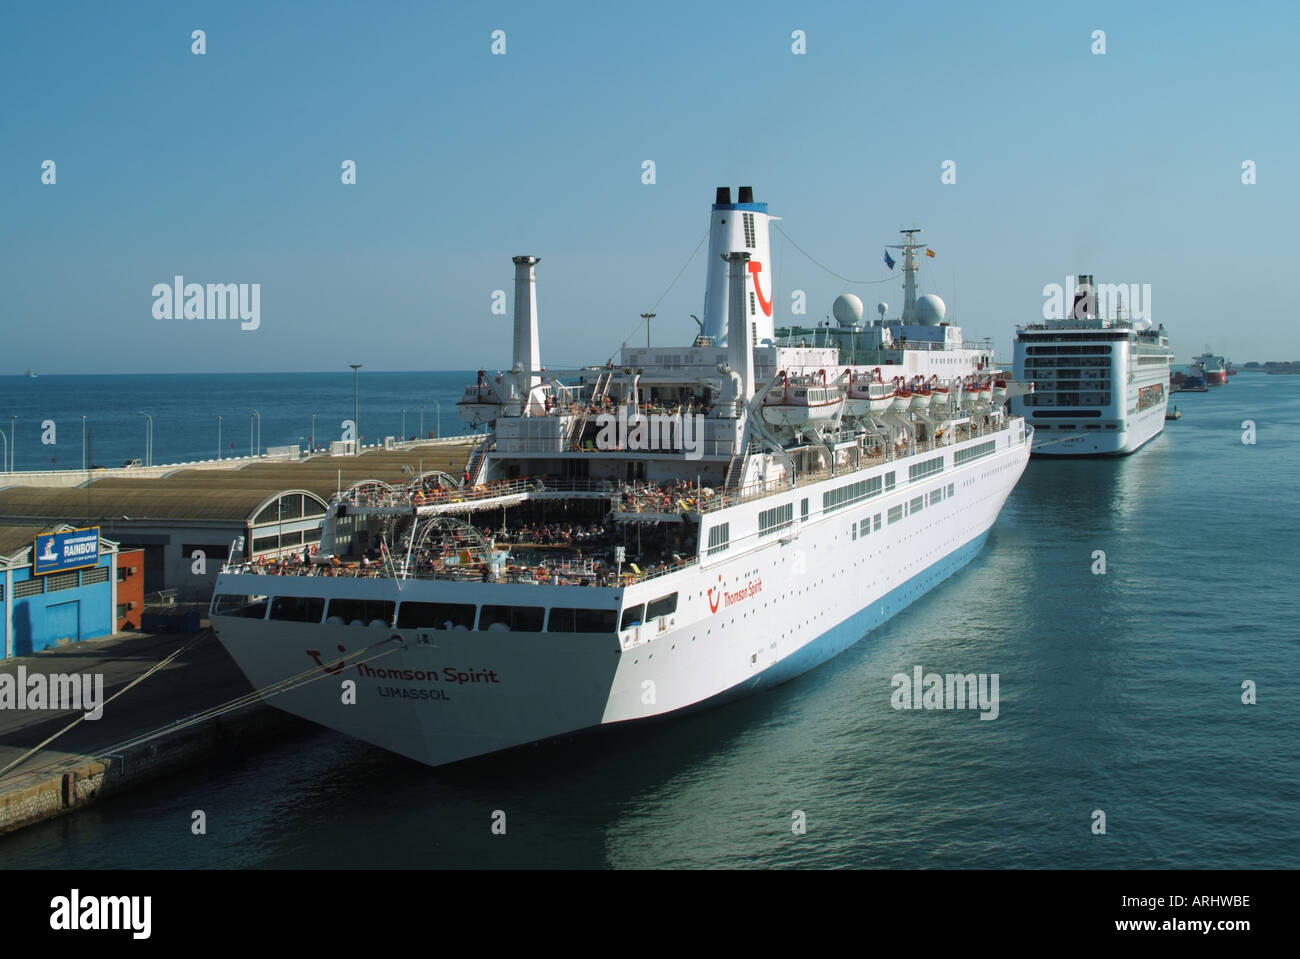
(185, 410)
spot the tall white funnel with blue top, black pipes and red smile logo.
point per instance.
(743, 225)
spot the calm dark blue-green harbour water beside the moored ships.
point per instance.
(1119, 692)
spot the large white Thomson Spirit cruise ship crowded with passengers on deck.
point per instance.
(632, 540)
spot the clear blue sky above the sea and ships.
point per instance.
(226, 168)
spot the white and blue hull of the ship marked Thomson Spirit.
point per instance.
(743, 624)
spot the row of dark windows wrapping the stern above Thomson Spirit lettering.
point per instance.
(410, 615)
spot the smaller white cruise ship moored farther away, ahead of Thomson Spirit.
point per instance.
(1102, 385)
